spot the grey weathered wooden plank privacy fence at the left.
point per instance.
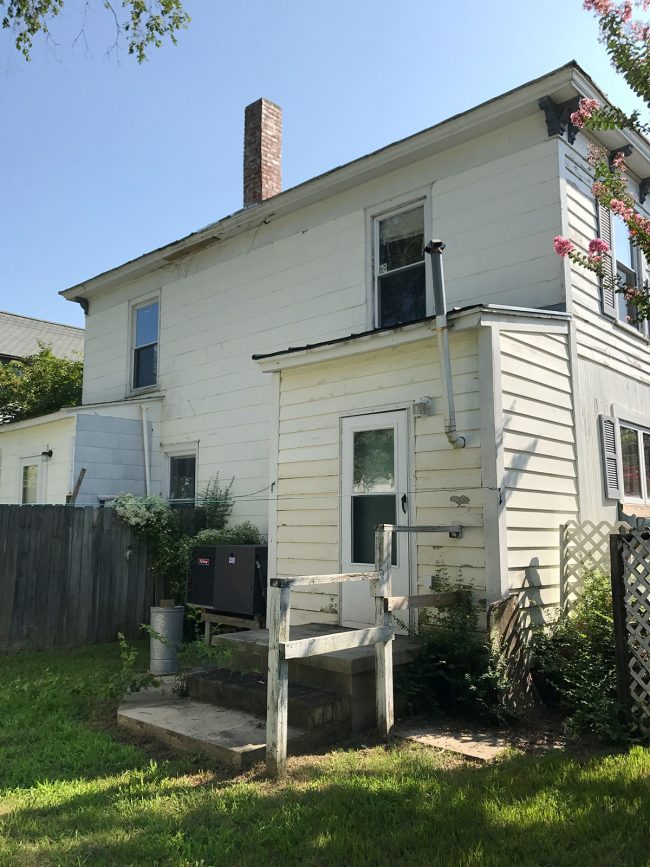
(69, 576)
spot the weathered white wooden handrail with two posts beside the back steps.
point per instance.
(281, 649)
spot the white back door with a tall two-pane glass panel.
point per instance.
(374, 488)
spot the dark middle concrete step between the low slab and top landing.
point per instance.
(309, 708)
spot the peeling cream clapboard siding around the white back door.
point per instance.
(314, 397)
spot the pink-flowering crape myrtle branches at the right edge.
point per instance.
(625, 32)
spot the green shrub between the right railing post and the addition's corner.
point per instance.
(455, 670)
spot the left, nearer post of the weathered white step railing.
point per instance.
(278, 682)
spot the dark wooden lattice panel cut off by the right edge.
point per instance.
(635, 549)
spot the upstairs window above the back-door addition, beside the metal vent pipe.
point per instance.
(399, 269)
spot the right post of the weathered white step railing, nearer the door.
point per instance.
(384, 649)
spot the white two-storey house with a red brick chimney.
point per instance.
(294, 346)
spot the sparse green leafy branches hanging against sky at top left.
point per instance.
(143, 23)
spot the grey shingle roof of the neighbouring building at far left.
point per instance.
(20, 336)
